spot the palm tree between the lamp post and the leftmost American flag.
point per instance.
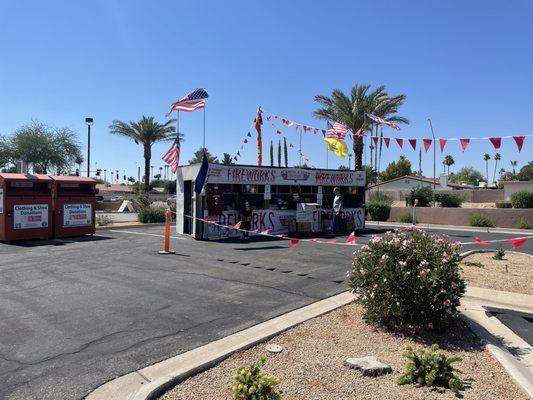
(146, 132)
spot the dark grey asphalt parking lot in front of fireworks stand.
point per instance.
(76, 313)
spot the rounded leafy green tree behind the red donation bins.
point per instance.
(45, 148)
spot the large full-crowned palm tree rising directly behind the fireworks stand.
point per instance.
(352, 111)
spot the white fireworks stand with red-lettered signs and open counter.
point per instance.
(280, 200)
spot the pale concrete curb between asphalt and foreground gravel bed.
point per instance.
(152, 381)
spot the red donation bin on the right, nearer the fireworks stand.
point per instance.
(74, 206)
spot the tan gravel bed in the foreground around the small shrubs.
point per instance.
(311, 365)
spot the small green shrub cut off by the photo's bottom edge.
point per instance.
(252, 384)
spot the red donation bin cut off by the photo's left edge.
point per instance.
(25, 207)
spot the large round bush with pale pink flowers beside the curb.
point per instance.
(408, 277)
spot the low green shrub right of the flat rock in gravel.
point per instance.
(430, 368)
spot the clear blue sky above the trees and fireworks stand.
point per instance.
(465, 64)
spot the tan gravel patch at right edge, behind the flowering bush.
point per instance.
(482, 270)
